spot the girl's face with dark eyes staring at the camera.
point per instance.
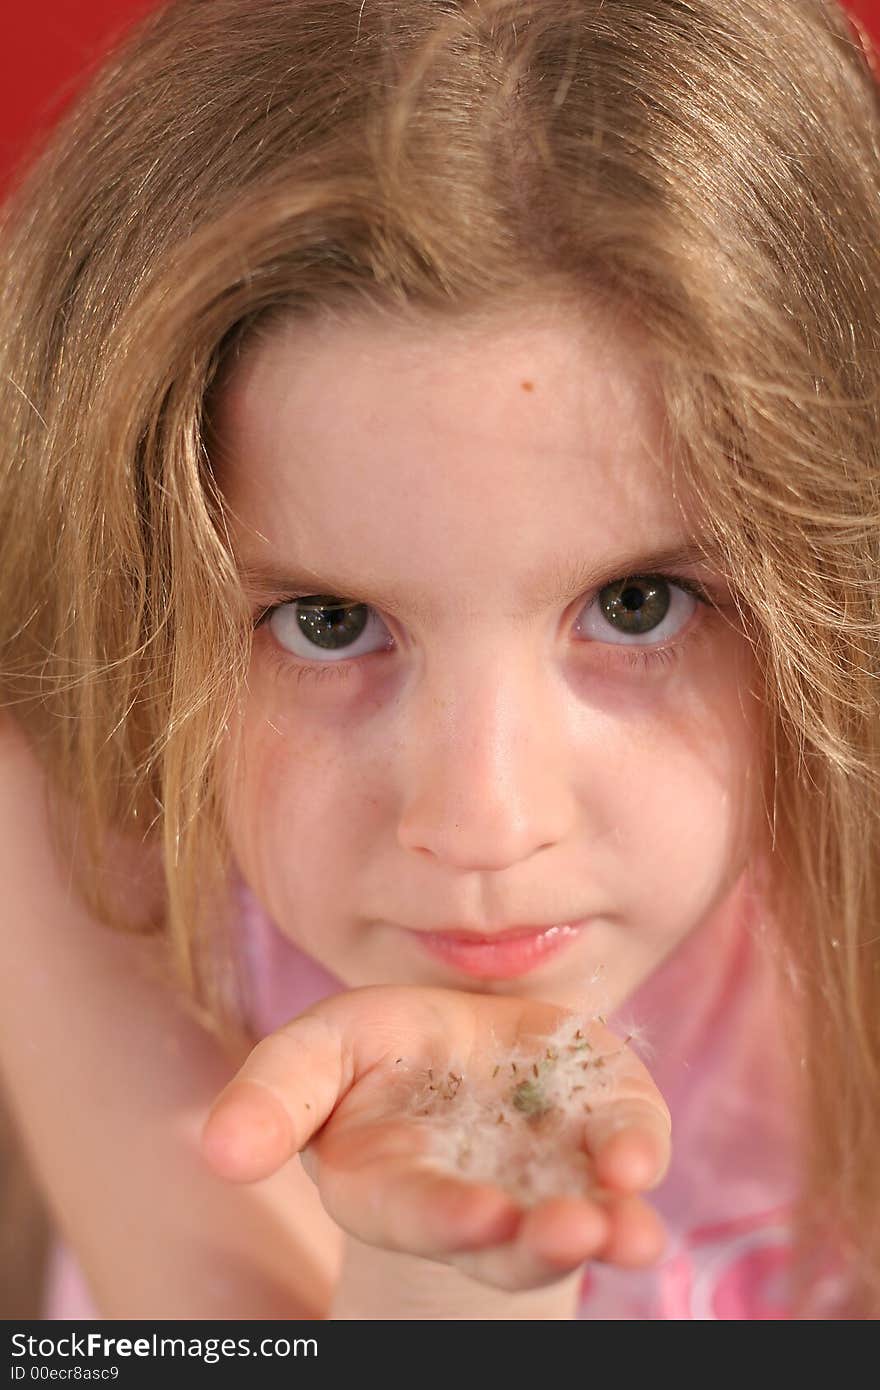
(493, 732)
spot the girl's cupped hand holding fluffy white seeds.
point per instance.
(366, 1085)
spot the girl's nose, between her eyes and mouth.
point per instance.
(484, 778)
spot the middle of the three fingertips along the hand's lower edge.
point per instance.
(554, 1241)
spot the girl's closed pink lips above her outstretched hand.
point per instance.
(501, 957)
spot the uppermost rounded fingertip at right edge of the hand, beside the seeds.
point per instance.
(630, 1140)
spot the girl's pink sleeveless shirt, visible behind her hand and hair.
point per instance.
(721, 1061)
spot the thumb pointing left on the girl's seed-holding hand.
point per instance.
(279, 1099)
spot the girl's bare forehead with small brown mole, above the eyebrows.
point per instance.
(370, 437)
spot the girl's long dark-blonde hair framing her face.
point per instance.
(711, 169)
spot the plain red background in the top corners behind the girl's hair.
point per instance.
(45, 49)
